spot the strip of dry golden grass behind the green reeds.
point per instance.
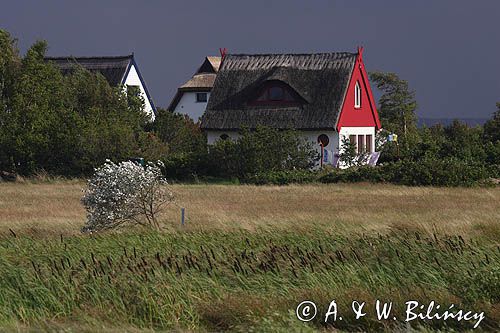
(55, 208)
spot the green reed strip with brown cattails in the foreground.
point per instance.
(220, 281)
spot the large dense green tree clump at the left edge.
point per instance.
(65, 125)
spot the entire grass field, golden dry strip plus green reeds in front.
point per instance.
(247, 256)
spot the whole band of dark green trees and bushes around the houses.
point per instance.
(69, 125)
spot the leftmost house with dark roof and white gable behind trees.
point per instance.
(118, 70)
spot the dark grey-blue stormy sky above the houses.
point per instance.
(449, 50)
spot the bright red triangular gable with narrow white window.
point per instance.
(366, 115)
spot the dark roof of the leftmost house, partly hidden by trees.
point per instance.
(112, 68)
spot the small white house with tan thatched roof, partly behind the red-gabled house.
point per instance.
(192, 97)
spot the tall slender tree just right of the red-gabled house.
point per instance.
(397, 105)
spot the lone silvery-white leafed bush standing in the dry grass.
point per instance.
(125, 193)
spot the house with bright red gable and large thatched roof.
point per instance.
(325, 96)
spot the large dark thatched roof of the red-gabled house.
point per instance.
(321, 80)
